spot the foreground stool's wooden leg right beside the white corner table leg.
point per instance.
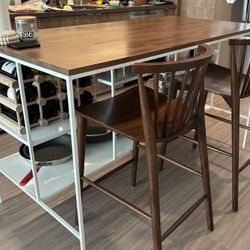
(81, 135)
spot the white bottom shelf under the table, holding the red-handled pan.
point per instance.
(56, 178)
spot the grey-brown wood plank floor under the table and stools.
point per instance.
(110, 226)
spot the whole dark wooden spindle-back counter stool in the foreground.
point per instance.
(143, 115)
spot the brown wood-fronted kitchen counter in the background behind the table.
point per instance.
(89, 14)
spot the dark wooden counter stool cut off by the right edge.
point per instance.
(232, 85)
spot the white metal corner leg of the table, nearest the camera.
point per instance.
(72, 120)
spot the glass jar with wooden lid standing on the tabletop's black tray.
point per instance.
(26, 28)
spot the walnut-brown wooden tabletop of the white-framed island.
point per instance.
(80, 49)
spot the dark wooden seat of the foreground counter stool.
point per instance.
(122, 113)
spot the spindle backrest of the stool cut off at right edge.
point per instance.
(239, 57)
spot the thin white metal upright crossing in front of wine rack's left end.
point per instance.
(27, 127)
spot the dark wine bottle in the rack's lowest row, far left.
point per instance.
(33, 111)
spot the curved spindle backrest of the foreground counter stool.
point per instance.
(176, 113)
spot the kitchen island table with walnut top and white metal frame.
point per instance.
(74, 52)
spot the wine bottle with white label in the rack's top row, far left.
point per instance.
(8, 68)
